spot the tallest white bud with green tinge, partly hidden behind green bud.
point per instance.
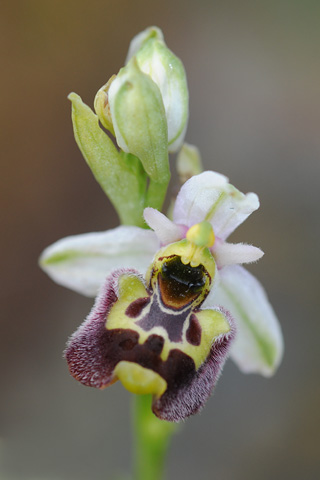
(167, 71)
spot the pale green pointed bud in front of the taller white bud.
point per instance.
(139, 120)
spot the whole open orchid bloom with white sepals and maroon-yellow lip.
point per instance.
(163, 320)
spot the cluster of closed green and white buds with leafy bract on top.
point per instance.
(144, 109)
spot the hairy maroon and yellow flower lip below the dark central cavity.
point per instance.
(94, 351)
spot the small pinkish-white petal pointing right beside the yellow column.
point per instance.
(235, 253)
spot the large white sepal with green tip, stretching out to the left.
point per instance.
(82, 262)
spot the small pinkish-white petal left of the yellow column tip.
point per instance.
(166, 231)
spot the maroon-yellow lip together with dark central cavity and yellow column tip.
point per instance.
(152, 335)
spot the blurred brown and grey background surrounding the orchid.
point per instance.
(253, 71)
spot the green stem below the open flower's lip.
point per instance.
(151, 440)
